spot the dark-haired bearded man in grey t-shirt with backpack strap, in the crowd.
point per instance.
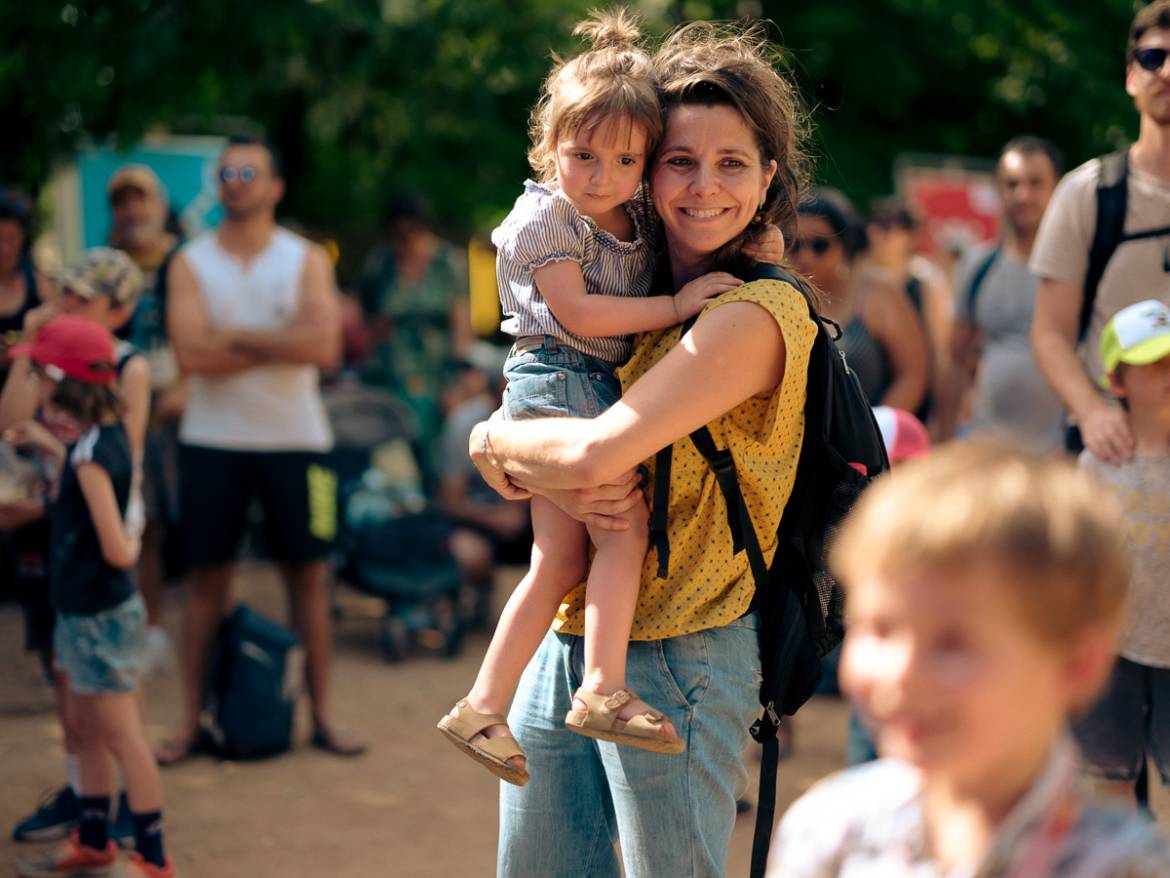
(994, 308)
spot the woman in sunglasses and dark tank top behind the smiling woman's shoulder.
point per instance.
(882, 334)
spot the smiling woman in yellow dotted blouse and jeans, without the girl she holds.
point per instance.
(728, 164)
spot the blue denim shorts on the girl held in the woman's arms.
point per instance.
(548, 380)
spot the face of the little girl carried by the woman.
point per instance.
(600, 170)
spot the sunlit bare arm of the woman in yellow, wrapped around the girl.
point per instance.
(732, 354)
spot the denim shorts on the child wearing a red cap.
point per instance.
(101, 654)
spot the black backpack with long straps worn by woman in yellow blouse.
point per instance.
(800, 605)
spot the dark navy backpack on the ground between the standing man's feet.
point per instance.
(253, 687)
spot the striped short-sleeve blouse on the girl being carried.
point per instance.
(545, 228)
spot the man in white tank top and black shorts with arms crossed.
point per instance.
(253, 317)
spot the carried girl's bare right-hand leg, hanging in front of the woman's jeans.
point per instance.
(611, 599)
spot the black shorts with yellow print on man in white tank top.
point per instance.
(297, 491)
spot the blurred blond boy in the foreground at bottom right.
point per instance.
(986, 589)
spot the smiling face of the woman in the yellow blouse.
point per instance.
(708, 181)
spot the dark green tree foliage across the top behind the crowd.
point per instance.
(371, 97)
